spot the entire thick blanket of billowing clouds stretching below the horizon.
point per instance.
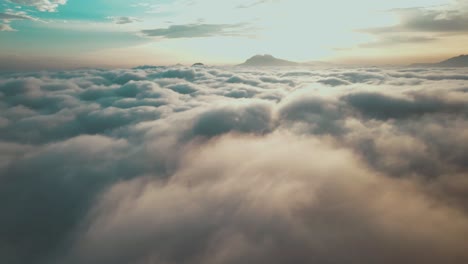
(233, 165)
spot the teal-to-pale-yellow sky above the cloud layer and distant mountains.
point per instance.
(119, 33)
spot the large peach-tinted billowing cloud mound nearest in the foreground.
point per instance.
(242, 199)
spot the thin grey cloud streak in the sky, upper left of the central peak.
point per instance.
(195, 31)
